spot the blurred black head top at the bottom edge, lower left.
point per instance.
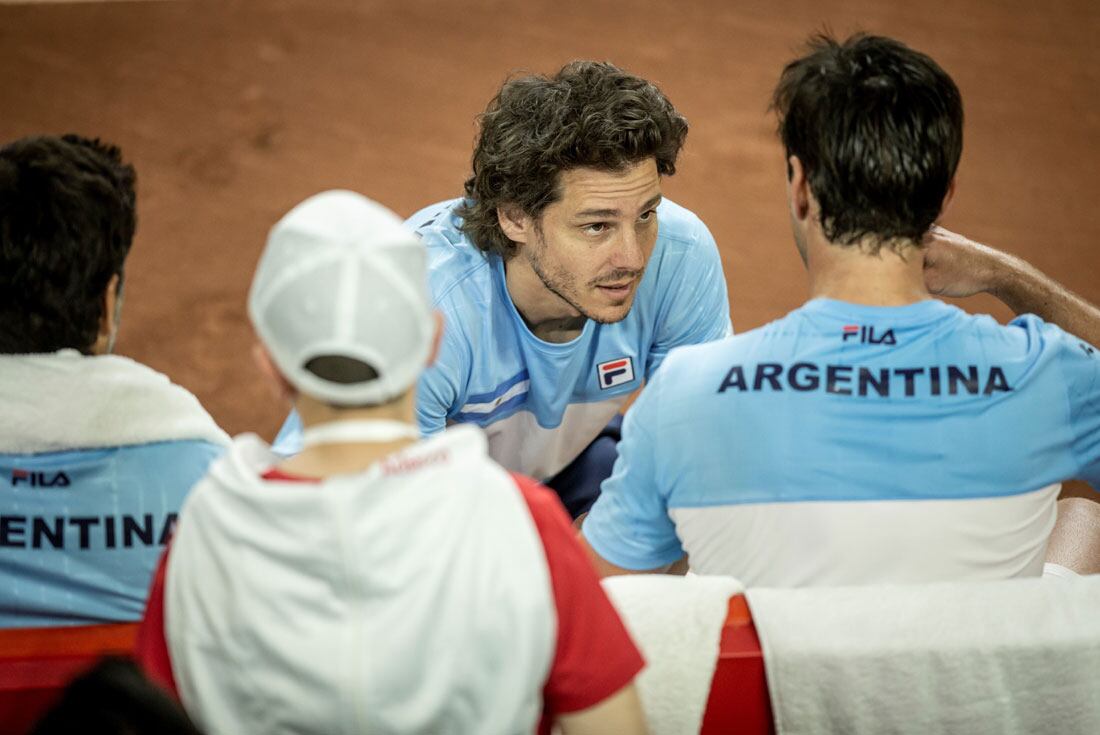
(115, 698)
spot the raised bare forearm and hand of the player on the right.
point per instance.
(955, 266)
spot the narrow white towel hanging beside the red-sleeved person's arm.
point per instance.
(677, 623)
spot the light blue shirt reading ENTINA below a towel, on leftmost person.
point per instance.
(82, 532)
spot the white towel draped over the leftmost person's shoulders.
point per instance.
(67, 401)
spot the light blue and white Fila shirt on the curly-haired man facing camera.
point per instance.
(543, 403)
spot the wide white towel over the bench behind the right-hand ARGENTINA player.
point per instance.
(1019, 656)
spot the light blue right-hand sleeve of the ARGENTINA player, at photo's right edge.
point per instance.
(1081, 368)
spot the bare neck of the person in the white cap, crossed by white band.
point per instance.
(345, 458)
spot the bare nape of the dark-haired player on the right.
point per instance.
(893, 277)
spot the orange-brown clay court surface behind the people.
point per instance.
(233, 113)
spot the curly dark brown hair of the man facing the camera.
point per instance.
(590, 114)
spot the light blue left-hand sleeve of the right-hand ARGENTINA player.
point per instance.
(630, 524)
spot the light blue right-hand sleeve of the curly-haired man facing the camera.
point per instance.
(697, 308)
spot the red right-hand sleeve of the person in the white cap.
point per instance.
(596, 657)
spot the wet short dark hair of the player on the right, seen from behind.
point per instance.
(878, 128)
